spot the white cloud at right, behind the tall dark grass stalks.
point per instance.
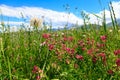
(94, 19)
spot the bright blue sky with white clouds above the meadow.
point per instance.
(55, 10)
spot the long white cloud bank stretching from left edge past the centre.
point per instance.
(49, 15)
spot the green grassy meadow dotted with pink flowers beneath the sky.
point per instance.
(80, 53)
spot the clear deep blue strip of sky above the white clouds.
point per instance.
(57, 5)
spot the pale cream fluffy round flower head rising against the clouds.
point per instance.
(35, 22)
